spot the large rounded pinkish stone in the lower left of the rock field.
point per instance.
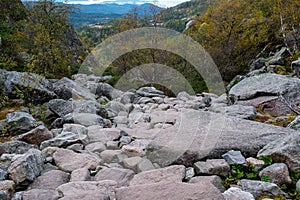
(68, 160)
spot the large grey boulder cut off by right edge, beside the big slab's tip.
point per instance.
(284, 150)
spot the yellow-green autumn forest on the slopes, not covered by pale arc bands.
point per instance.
(39, 37)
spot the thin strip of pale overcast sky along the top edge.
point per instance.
(165, 3)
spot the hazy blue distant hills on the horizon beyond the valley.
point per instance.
(102, 13)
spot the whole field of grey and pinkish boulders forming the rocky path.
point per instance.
(100, 143)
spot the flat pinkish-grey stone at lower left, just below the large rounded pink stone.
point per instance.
(50, 180)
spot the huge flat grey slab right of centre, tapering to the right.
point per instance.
(199, 134)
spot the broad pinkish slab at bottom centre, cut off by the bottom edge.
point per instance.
(169, 190)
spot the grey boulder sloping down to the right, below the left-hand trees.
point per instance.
(66, 89)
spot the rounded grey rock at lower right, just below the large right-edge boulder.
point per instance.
(277, 173)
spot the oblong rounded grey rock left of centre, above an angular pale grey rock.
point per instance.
(85, 119)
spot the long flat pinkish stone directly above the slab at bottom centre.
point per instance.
(174, 173)
